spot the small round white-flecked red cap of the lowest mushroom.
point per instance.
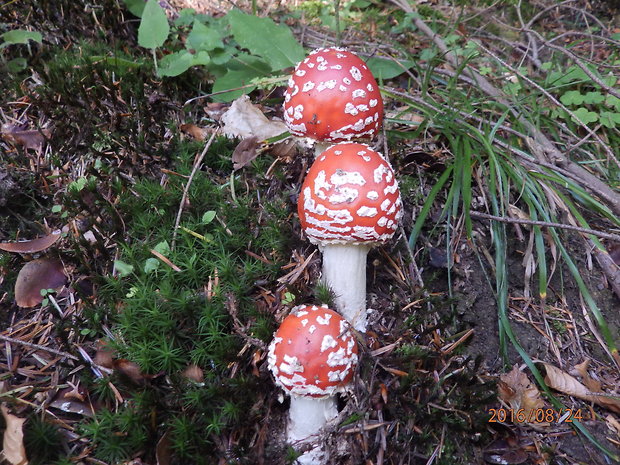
(313, 353)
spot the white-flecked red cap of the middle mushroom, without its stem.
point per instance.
(350, 195)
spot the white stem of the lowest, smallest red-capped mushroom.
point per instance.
(307, 415)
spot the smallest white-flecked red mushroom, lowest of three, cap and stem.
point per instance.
(312, 357)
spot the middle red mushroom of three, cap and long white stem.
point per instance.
(349, 202)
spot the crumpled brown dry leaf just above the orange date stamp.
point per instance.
(516, 389)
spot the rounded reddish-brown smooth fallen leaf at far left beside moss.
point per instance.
(39, 274)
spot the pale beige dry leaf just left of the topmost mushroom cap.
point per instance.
(245, 120)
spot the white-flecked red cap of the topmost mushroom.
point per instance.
(332, 96)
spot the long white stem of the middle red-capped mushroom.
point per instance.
(344, 271)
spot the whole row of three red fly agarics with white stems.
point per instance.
(349, 202)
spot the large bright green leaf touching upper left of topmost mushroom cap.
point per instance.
(263, 37)
